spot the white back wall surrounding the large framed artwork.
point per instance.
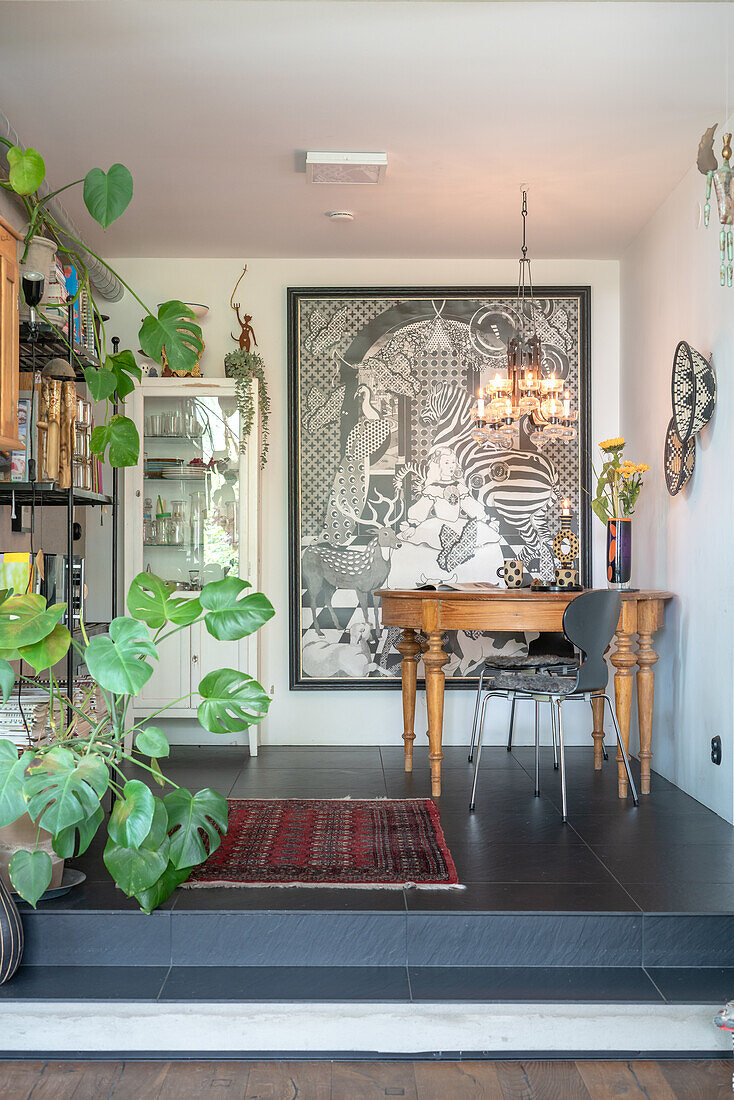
(328, 718)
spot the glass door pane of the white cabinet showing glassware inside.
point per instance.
(191, 489)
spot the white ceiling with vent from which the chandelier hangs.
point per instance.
(597, 107)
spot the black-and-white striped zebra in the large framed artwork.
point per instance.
(521, 487)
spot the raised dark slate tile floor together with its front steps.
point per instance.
(667, 866)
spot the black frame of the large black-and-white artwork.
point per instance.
(295, 295)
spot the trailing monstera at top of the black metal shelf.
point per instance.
(106, 196)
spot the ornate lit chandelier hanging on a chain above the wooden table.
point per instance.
(524, 392)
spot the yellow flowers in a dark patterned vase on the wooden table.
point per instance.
(619, 485)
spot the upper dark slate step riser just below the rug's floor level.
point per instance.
(390, 937)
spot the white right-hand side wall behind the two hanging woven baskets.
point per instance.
(671, 292)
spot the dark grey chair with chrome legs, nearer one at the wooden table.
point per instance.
(589, 624)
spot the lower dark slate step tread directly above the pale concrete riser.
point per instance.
(371, 985)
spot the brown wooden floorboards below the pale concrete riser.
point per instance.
(365, 1081)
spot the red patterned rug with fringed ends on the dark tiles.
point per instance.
(331, 843)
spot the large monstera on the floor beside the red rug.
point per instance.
(154, 840)
